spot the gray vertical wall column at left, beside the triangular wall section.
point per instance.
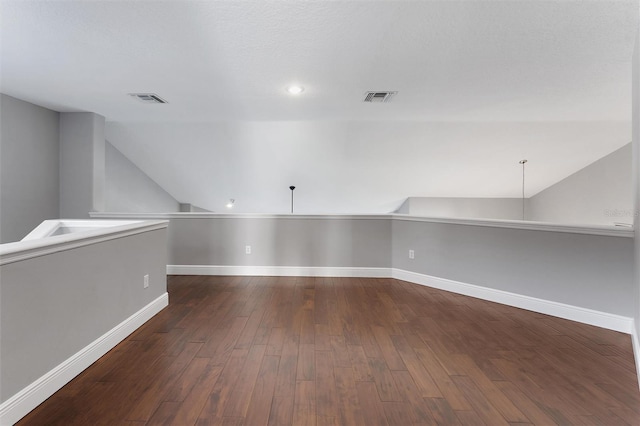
(82, 164)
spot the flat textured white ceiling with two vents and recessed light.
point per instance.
(218, 60)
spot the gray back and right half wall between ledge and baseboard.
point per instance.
(589, 271)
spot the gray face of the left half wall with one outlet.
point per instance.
(52, 306)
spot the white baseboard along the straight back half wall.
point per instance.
(279, 271)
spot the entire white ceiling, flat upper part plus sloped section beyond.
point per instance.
(481, 85)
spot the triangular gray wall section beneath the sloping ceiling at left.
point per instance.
(129, 189)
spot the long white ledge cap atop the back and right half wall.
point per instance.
(603, 230)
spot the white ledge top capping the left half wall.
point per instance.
(29, 248)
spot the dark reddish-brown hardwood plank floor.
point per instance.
(349, 351)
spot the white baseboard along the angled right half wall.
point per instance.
(561, 310)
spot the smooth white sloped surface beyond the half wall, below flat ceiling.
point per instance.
(357, 167)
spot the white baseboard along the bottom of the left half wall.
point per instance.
(37, 392)
